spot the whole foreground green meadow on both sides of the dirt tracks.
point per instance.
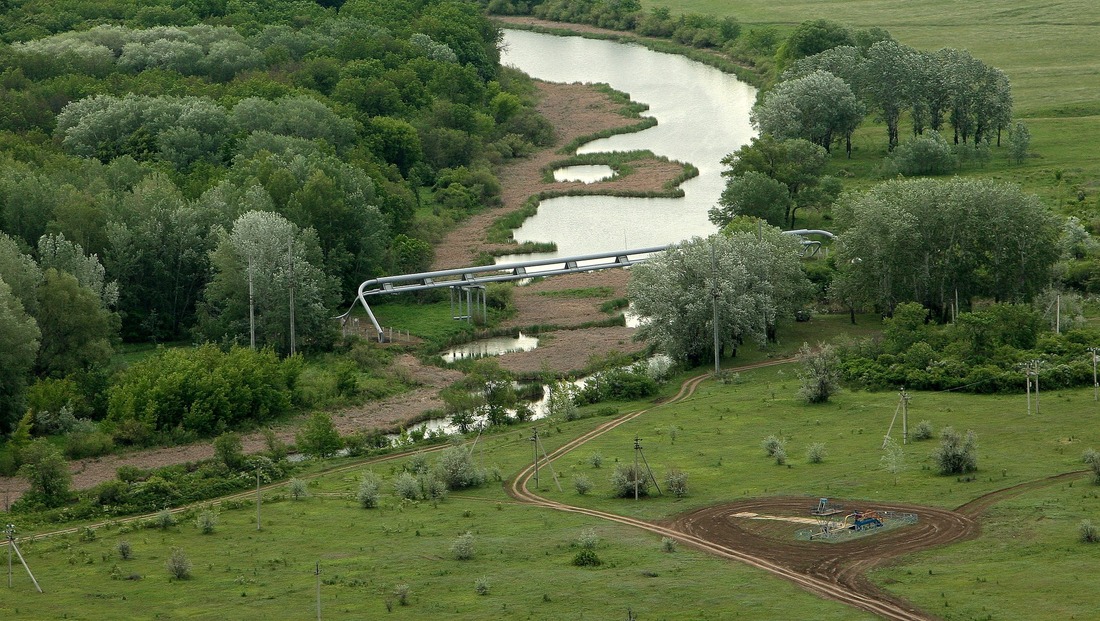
(524, 555)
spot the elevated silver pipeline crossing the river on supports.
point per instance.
(468, 284)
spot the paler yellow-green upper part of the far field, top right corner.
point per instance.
(1047, 49)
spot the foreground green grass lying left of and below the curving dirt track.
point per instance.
(523, 555)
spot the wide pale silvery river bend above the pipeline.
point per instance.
(702, 114)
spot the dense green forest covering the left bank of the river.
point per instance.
(159, 160)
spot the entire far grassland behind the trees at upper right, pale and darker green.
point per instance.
(1047, 50)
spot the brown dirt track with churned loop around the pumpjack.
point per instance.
(837, 572)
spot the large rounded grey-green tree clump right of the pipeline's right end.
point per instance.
(939, 242)
